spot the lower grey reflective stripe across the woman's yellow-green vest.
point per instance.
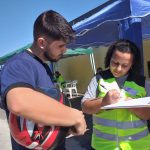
(112, 137)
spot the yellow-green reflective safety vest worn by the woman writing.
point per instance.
(119, 129)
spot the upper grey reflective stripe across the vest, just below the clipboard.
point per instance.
(120, 125)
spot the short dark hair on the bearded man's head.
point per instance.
(53, 25)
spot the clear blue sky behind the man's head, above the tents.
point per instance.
(17, 18)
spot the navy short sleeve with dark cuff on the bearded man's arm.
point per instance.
(17, 73)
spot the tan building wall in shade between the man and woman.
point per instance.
(76, 68)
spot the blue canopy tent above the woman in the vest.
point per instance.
(113, 20)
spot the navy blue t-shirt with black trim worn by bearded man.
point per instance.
(23, 70)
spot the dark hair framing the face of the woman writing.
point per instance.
(126, 46)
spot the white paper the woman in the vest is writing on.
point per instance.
(132, 103)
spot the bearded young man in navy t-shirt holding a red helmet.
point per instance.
(27, 73)
